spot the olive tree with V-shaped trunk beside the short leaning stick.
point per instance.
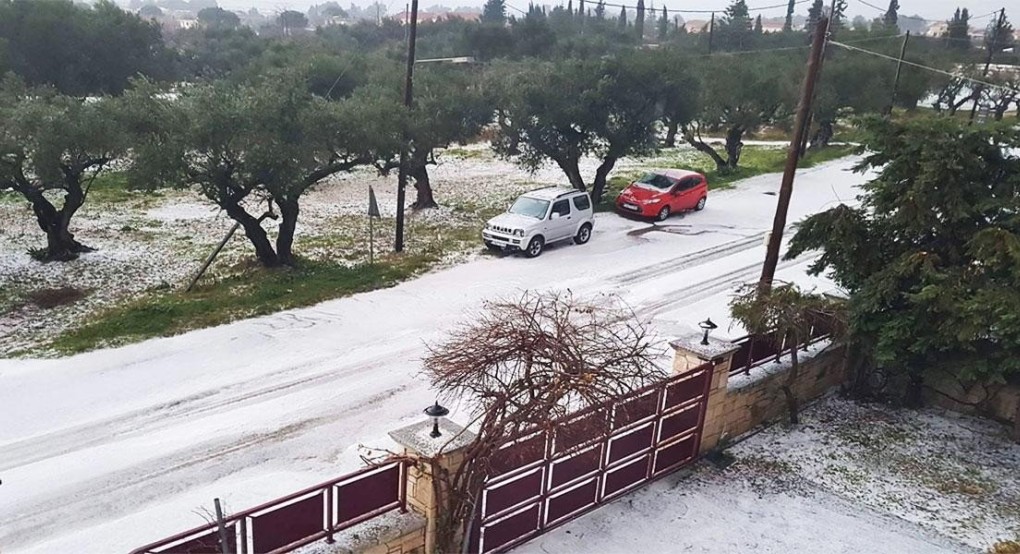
(263, 144)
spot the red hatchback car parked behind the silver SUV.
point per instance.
(661, 193)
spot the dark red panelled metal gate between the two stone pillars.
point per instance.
(555, 477)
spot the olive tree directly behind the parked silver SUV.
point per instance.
(565, 112)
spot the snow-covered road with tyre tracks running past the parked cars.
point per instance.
(106, 451)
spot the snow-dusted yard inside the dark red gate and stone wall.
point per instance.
(851, 478)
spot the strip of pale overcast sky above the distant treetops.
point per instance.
(930, 10)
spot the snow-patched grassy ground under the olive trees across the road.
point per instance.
(150, 244)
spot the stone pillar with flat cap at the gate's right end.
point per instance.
(691, 355)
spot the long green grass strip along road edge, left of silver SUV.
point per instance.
(257, 292)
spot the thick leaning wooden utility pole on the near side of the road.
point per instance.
(793, 156)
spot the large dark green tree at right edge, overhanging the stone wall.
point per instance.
(932, 258)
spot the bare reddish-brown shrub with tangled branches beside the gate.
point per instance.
(523, 365)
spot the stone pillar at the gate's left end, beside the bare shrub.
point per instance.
(447, 451)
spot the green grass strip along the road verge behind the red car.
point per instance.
(755, 161)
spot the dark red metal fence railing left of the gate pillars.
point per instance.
(300, 519)
